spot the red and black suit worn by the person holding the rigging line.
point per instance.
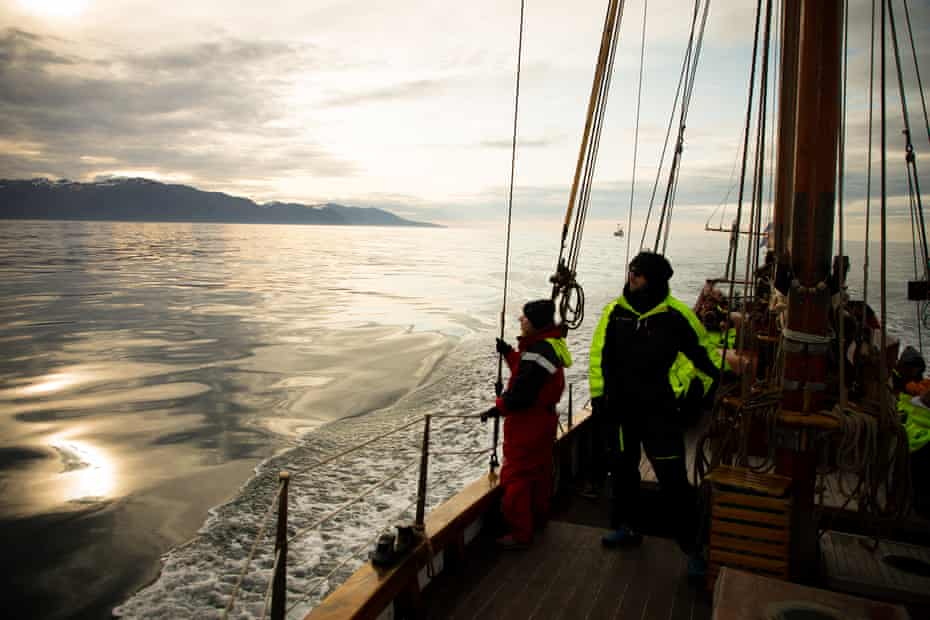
(537, 380)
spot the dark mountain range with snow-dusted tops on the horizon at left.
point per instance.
(144, 200)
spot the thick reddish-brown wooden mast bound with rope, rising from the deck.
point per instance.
(806, 339)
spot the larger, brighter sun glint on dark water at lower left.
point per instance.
(89, 473)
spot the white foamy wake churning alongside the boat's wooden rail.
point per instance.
(198, 579)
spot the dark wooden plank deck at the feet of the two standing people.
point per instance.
(566, 573)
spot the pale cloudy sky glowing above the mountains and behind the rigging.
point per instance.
(406, 105)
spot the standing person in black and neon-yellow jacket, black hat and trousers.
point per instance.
(640, 351)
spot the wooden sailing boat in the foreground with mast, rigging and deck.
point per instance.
(761, 523)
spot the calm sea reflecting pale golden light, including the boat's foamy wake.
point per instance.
(157, 378)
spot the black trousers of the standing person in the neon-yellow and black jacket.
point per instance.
(665, 449)
